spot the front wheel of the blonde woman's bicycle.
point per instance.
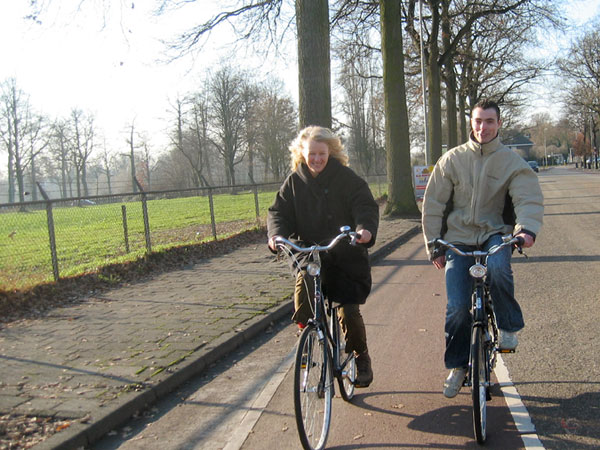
(313, 389)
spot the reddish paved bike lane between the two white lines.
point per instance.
(404, 407)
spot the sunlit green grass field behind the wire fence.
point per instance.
(92, 236)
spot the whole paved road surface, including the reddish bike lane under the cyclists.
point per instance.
(246, 401)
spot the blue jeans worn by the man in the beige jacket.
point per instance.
(459, 287)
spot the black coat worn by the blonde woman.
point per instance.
(312, 210)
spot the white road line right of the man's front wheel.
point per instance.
(517, 408)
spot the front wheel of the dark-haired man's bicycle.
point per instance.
(479, 384)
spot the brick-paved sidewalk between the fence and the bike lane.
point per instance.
(96, 363)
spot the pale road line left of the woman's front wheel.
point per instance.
(258, 406)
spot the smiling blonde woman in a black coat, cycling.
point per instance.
(317, 198)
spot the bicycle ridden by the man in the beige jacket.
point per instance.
(484, 333)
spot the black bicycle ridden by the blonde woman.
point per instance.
(320, 353)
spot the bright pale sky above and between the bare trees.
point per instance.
(103, 58)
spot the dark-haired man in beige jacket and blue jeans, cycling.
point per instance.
(478, 192)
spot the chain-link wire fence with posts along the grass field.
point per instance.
(46, 240)
